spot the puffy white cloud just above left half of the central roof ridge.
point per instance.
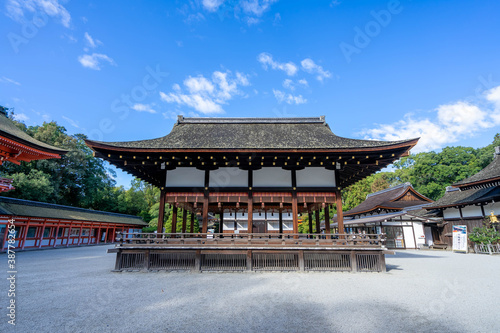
(207, 95)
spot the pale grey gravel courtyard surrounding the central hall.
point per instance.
(73, 290)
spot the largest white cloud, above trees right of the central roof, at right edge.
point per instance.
(451, 123)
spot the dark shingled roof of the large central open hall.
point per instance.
(251, 133)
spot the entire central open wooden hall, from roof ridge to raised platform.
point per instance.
(278, 168)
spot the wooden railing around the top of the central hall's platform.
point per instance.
(249, 239)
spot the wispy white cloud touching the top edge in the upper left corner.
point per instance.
(17, 9)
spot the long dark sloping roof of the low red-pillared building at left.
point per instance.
(18, 207)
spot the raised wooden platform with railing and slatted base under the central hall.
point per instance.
(250, 252)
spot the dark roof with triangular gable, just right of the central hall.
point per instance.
(387, 199)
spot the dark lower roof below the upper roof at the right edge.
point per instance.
(463, 197)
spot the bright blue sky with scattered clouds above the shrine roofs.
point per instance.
(389, 70)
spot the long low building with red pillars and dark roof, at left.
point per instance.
(42, 225)
